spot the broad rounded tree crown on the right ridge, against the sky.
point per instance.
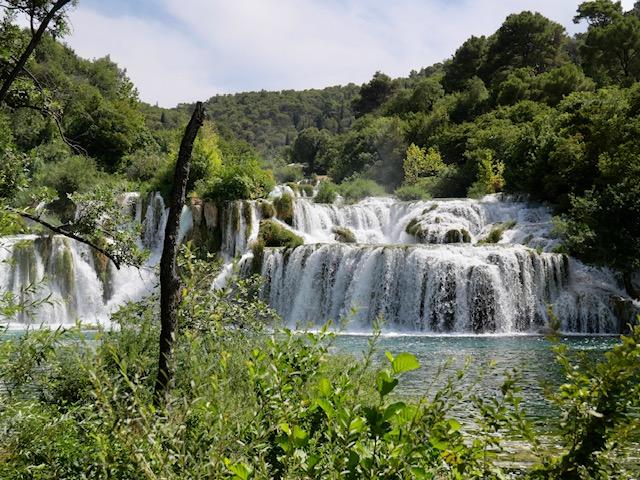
(526, 40)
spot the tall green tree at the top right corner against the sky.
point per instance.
(611, 45)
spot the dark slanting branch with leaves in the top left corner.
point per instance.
(47, 12)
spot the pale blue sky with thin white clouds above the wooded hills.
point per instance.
(185, 50)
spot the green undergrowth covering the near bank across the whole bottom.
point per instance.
(83, 407)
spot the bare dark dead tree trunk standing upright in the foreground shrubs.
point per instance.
(169, 280)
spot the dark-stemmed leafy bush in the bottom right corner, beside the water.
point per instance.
(598, 404)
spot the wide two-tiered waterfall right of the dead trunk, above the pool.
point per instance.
(423, 267)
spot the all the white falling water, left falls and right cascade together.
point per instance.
(417, 283)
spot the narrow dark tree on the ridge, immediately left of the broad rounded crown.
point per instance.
(465, 64)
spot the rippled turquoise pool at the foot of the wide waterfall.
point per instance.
(532, 356)
